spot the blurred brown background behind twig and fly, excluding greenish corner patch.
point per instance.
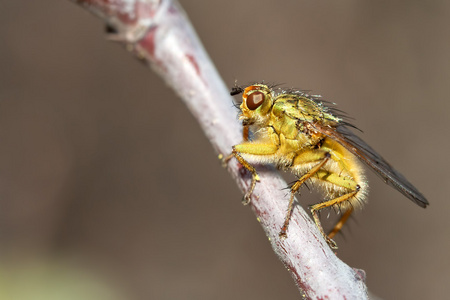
(103, 168)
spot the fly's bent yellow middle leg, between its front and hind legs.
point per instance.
(306, 157)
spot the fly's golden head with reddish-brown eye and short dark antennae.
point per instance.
(256, 104)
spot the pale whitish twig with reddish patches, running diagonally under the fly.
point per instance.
(159, 33)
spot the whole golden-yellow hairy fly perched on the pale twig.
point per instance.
(299, 133)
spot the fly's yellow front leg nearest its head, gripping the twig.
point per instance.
(256, 149)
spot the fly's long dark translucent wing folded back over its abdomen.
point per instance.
(364, 152)
